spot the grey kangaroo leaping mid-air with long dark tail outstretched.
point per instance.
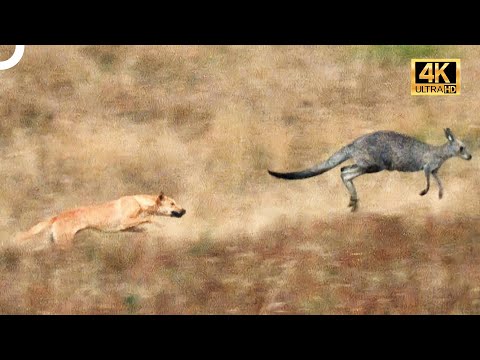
(386, 150)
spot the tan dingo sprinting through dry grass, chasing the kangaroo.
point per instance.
(117, 215)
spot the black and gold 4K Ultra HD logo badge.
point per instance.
(435, 76)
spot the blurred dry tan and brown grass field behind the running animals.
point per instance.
(87, 124)
